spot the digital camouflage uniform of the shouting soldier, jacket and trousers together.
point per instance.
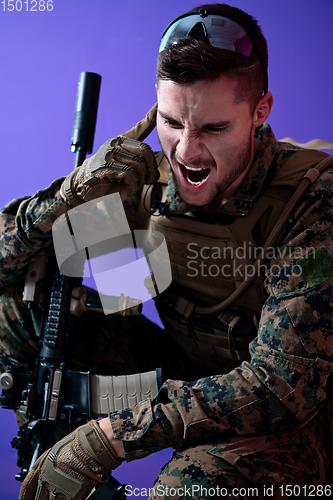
(260, 425)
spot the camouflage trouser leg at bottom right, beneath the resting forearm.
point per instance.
(287, 468)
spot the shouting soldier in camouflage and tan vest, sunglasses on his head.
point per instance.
(247, 422)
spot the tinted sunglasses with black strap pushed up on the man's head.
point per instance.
(218, 30)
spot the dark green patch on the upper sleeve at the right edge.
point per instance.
(317, 267)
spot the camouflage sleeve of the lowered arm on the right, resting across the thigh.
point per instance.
(284, 384)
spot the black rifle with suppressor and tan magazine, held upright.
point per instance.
(54, 398)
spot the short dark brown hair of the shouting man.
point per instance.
(191, 60)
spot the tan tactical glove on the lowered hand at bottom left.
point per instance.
(76, 464)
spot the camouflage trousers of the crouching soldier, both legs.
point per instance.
(119, 345)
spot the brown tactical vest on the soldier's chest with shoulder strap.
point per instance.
(211, 260)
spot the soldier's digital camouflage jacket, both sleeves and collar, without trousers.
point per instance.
(283, 387)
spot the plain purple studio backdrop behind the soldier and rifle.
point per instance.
(44, 47)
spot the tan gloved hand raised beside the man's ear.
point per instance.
(122, 163)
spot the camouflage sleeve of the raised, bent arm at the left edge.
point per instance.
(26, 228)
